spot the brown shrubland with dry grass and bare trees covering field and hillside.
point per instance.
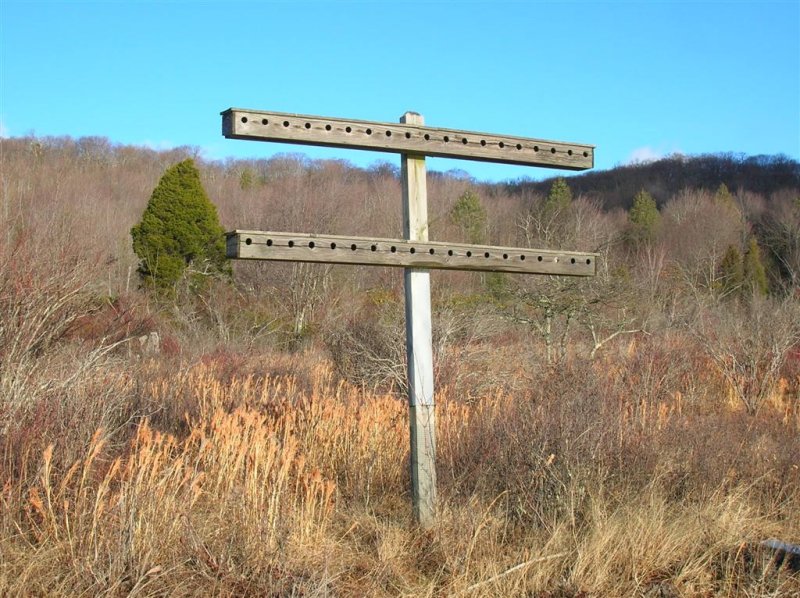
(253, 456)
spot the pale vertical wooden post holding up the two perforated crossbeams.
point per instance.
(419, 341)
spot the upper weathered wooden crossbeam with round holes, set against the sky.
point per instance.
(239, 123)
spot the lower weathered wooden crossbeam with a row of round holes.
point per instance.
(334, 249)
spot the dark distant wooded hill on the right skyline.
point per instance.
(664, 178)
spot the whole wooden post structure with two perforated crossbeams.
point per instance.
(415, 252)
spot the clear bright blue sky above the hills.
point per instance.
(636, 79)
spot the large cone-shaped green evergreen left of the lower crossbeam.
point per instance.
(179, 229)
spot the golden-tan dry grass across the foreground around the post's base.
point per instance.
(274, 489)
